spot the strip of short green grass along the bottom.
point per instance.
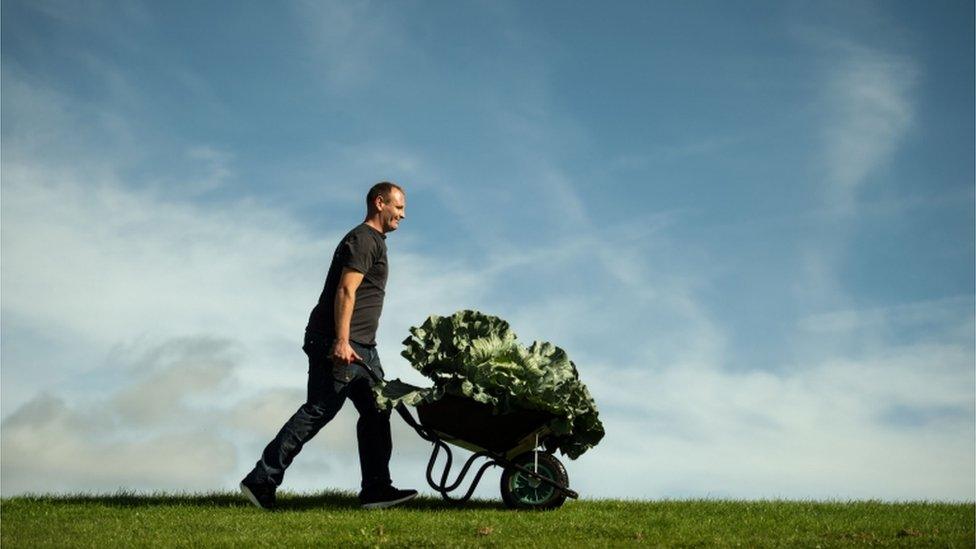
(334, 519)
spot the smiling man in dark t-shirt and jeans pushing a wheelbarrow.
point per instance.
(339, 340)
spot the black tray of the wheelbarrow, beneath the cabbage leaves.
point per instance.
(475, 425)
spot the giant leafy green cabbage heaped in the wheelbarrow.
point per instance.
(475, 355)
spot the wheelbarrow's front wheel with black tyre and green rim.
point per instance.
(521, 491)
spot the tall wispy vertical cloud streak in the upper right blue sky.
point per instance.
(866, 109)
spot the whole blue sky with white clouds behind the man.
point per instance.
(750, 224)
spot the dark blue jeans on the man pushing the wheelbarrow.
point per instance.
(328, 388)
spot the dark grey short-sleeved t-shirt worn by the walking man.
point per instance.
(363, 249)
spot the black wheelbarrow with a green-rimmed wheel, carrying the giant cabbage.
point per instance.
(531, 479)
